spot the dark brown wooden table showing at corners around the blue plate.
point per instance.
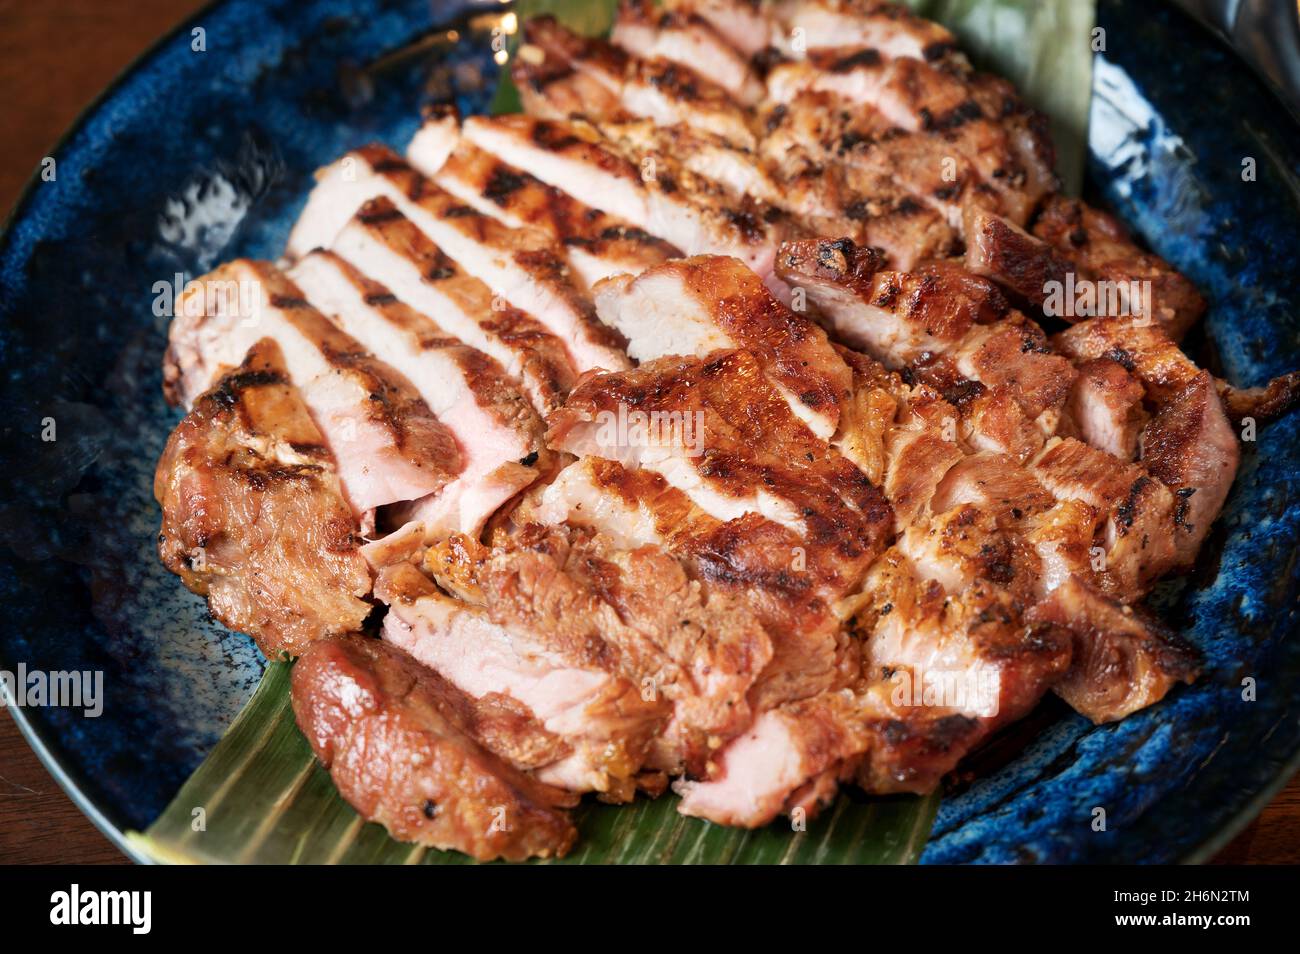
(55, 57)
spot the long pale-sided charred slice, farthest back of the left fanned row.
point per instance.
(571, 157)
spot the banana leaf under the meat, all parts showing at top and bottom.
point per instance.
(261, 797)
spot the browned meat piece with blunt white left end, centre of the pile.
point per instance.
(709, 303)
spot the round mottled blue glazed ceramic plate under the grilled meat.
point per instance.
(202, 155)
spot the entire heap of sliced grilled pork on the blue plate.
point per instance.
(851, 514)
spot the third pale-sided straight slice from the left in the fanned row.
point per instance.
(387, 248)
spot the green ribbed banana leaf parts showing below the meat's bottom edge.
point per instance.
(262, 799)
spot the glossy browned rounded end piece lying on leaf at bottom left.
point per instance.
(398, 741)
